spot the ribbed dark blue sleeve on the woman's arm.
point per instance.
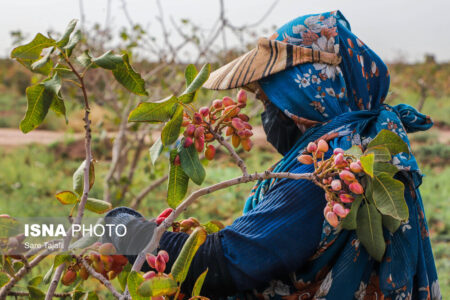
(278, 235)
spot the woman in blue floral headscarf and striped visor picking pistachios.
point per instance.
(282, 247)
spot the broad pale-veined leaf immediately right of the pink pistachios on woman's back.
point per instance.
(388, 196)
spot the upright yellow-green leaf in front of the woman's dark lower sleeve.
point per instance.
(181, 265)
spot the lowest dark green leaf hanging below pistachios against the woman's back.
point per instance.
(370, 231)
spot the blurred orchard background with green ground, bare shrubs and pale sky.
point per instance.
(162, 37)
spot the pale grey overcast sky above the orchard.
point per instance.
(395, 29)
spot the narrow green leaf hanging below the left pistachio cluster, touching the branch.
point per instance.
(178, 182)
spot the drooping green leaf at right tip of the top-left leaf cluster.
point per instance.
(128, 78)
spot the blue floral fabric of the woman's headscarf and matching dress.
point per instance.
(347, 100)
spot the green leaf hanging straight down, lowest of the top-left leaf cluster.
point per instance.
(39, 101)
